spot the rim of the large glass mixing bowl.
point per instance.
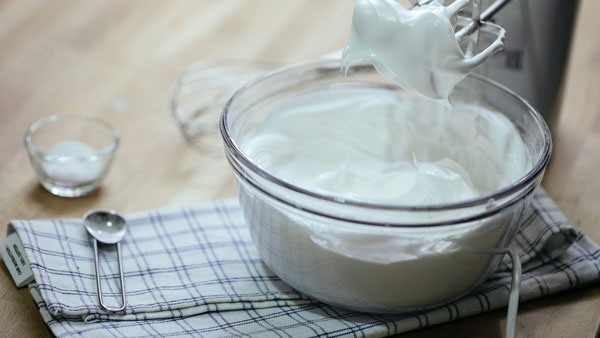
(235, 152)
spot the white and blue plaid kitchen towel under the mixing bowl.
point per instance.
(194, 271)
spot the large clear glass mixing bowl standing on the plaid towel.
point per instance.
(367, 256)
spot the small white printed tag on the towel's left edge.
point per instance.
(16, 260)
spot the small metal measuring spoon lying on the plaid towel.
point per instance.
(108, 227)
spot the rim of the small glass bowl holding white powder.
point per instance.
(106, 151)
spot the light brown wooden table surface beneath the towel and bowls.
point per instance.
(119, 59)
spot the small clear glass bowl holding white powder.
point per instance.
(71, 155)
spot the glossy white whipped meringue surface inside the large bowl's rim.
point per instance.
(380, 146)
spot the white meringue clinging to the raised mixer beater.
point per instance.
(416, 48)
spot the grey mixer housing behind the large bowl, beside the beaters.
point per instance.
(536, 49)
